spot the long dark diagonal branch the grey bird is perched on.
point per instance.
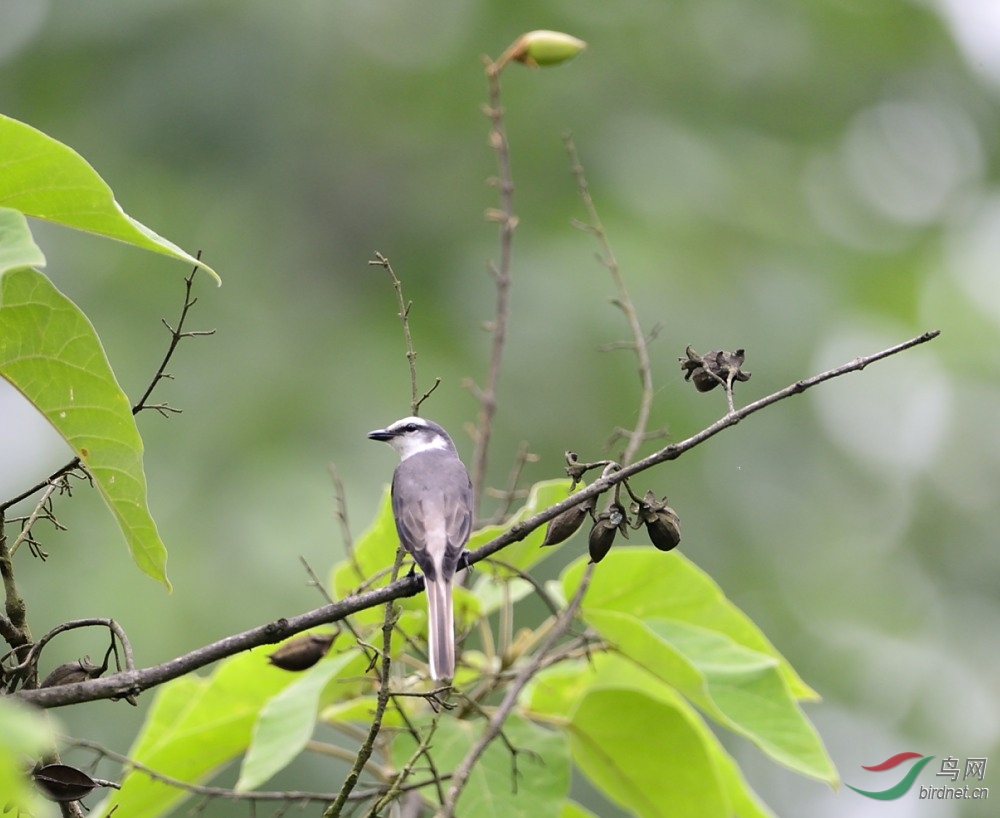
(132, 682)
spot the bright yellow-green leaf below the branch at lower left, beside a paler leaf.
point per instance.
(195, 726)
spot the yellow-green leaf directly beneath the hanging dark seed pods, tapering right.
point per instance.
(647, 583)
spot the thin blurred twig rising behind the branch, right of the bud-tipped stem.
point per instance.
(623, 302)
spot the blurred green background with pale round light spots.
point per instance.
(812, 180)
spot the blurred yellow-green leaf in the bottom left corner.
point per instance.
(24, 734)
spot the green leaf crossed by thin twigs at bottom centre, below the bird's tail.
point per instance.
(543, 768)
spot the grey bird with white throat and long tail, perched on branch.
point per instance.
(432, 504)
